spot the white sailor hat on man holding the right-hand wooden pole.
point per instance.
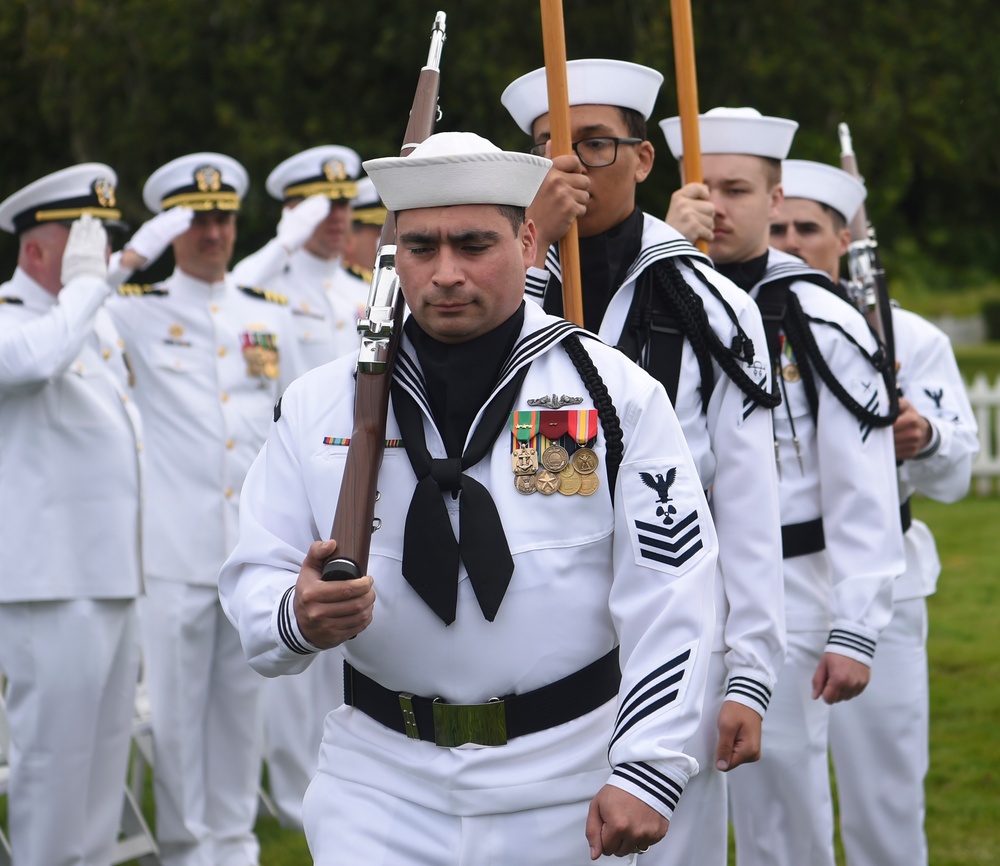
(735, 130)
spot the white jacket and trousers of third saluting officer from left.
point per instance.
(326, 301)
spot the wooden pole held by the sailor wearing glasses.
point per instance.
(554, 44)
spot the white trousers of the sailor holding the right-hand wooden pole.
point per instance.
(781, 805)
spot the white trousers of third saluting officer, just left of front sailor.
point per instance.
(295, 709)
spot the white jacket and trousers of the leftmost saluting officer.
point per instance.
(70, 493)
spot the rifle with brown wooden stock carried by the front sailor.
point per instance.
(380, 329)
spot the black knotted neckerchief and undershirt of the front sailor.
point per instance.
(458, 385)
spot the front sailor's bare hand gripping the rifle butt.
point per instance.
(330, 611)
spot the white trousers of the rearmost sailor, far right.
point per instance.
(880, 749)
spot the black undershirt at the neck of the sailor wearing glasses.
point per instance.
(604, 262)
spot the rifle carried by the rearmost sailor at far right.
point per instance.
(867, 284)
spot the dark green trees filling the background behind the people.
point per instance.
(137, 82)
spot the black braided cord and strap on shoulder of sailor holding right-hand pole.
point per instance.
(780, 309)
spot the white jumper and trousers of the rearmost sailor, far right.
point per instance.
(879, 740)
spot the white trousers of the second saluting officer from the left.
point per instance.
(207, 730)
